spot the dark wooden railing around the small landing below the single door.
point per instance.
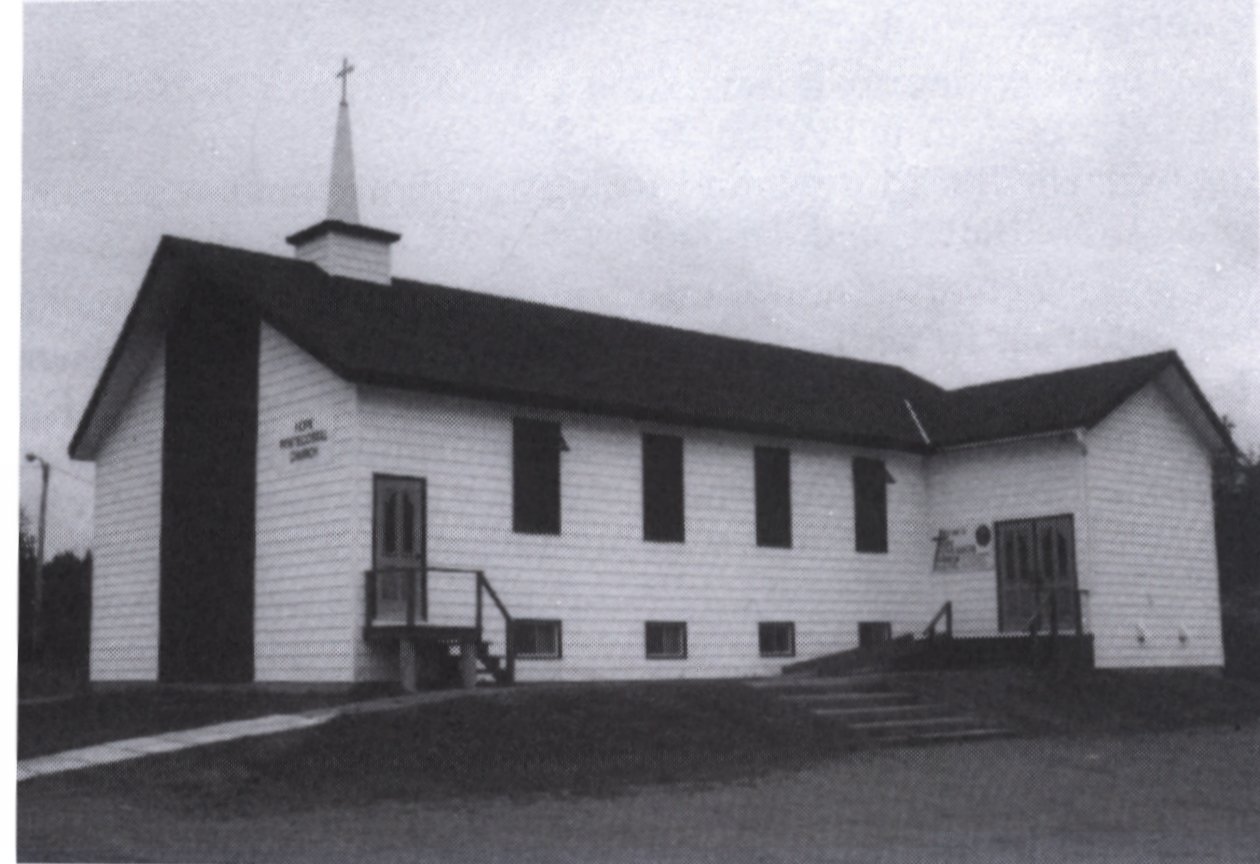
(404, 598)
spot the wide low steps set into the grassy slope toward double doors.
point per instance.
(873, 706)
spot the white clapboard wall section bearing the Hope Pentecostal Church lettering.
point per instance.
(306, 572)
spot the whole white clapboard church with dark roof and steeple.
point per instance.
(311, 470)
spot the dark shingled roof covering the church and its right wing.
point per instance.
(418, 336)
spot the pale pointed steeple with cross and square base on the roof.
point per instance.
(341, 245)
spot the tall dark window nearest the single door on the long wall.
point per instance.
(536, 448)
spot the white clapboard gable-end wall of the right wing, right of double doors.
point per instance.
(1154, 550)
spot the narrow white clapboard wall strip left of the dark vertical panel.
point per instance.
(128, 533)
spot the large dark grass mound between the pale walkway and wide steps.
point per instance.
(578, 740)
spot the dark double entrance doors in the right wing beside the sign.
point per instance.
(1036, 574)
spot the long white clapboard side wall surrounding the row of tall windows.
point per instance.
(604, 581)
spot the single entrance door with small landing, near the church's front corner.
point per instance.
(400, 549)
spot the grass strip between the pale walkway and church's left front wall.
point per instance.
(100, 717)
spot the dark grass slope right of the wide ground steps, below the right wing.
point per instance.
(1043, 702)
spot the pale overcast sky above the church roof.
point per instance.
(973, 191)
